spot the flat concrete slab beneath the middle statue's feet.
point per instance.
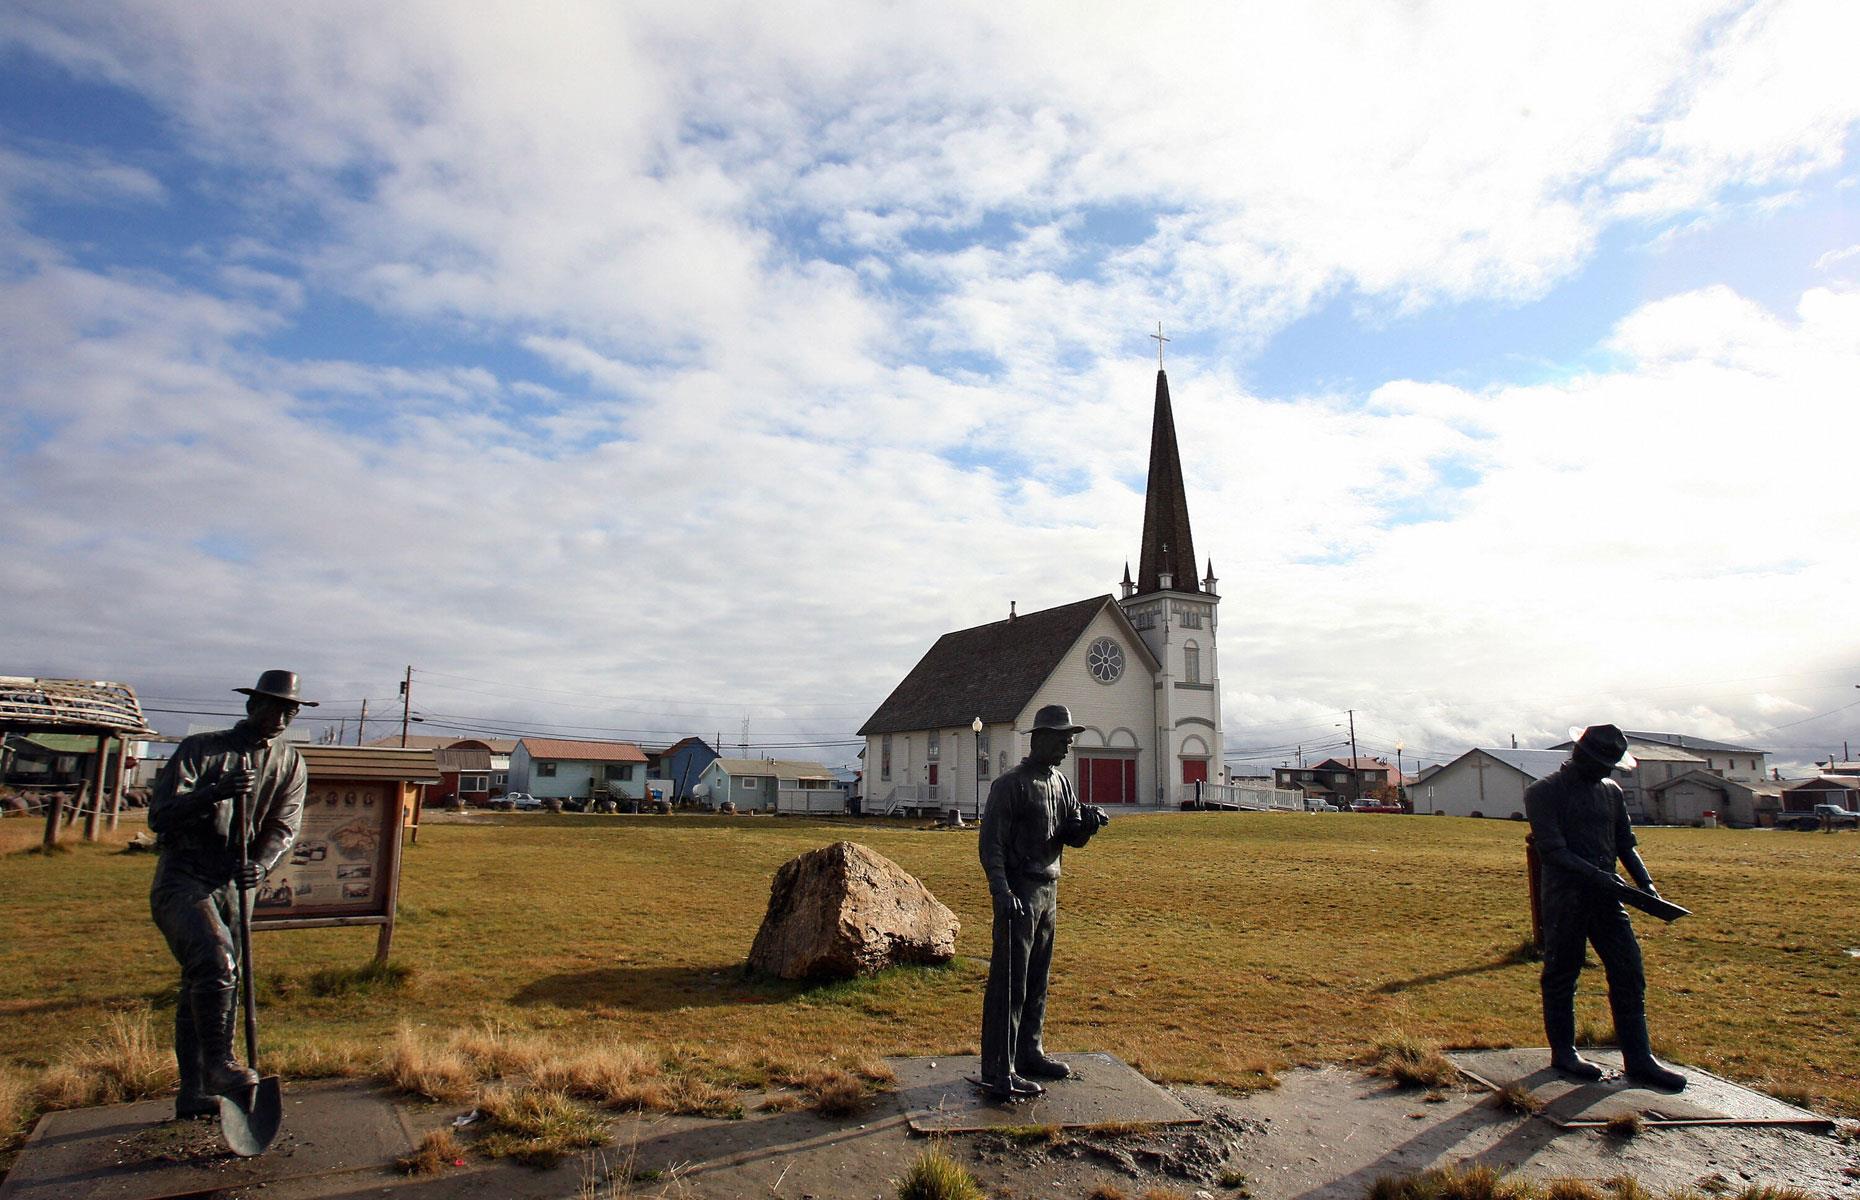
(937, 1097)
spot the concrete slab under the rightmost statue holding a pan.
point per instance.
(1584, 1106)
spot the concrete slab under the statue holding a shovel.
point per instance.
(137, 1153)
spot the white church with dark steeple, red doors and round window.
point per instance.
(1139, 673)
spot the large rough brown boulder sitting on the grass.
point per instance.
(845, 911)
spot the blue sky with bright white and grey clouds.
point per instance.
(654, 369)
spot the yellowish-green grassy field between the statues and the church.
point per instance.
(1202, 948)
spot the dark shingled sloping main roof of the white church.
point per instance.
(989, 671)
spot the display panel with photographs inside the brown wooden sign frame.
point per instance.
(343, 862)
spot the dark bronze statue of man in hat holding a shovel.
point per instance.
(228, 808)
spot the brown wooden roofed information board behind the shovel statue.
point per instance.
(345, 866)
